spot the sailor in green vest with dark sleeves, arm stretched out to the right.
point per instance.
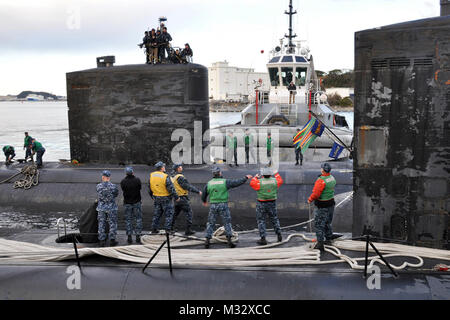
(217, 190)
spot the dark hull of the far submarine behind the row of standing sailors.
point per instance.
(64, 188)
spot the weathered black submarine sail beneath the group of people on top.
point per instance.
(127, 114)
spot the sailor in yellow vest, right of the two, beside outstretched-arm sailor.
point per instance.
(182, 186)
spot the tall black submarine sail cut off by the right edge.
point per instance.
(402, 125)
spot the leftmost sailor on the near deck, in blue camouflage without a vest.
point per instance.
(107, 209)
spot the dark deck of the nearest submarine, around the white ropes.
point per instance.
(106, 278)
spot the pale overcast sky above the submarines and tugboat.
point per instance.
(41, 40)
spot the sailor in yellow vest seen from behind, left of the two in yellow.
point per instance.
(162, 191)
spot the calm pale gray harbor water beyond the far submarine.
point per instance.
(47, 122)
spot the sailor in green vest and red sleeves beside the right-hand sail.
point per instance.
(323, 197)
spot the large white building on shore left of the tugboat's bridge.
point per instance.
(233, 83)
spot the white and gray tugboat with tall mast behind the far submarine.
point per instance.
(273, 111)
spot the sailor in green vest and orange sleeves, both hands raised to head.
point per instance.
(267, 191)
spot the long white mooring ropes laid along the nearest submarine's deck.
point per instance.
(268, 255)
